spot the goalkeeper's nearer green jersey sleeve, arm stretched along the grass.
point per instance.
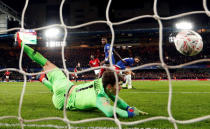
(103, 104)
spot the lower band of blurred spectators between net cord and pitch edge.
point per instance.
(139, 74)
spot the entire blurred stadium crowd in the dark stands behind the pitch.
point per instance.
(10, 58)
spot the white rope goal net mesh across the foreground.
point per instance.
(170, 118)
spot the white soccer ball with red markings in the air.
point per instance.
(188, 42)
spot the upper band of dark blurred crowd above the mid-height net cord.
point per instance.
(148, 54)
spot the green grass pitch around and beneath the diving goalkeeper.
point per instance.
(190, 99)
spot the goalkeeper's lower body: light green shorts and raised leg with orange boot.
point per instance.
(57, 80)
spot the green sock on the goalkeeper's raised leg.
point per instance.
(35, 56)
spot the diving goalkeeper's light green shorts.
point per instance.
(60, 85)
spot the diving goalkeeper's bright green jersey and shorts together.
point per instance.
(84, 96)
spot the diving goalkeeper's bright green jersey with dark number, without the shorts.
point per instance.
(92, 95)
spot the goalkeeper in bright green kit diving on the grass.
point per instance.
(94, 94)
